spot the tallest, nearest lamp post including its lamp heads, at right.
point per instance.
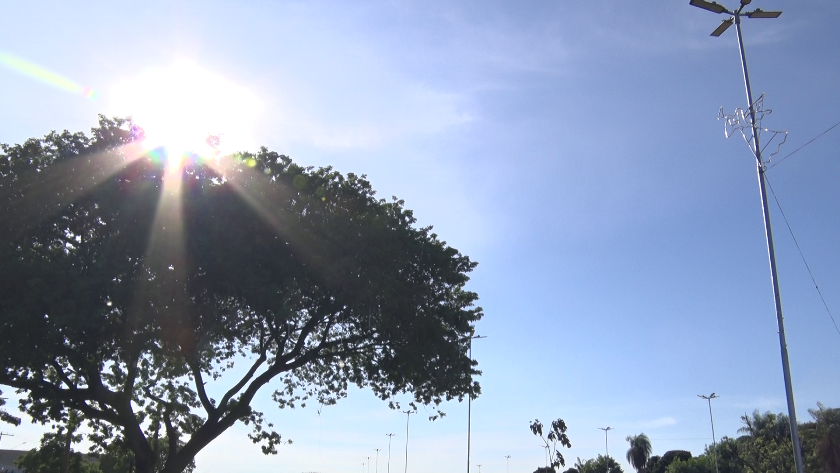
(761, 169)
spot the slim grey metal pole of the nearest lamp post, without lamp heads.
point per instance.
(777, 299)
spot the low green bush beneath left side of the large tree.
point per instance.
(49, 457)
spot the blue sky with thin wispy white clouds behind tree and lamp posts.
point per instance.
(572, 148)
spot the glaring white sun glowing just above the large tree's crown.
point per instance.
(180, 106)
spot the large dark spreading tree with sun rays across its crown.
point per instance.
(134, 281)
